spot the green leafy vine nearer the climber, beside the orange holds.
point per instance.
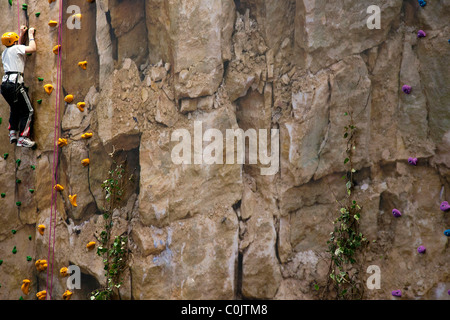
(113, 251)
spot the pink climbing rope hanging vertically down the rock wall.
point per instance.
(51, 241)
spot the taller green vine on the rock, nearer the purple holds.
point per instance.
(346, 240)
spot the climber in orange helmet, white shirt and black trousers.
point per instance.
(13, 89)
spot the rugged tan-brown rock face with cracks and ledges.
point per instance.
(224, 230)
